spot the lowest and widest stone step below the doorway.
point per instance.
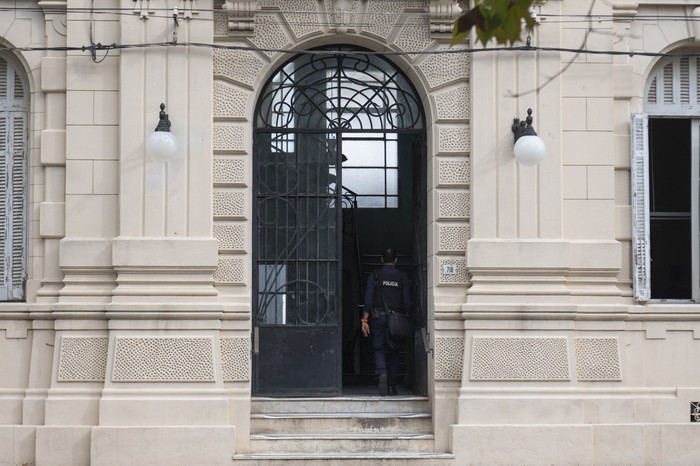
(345, 459)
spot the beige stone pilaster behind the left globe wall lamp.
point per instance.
(165, 207)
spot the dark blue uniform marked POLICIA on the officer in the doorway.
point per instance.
(395, 292)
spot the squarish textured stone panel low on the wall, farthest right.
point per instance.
(597, 359)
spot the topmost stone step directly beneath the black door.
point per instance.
(344, 404)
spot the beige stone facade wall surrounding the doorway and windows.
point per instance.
(133, 263)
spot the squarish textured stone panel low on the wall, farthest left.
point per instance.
(83, 359)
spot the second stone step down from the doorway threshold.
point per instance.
(332, 423)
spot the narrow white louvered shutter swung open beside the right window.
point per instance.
(641, 269)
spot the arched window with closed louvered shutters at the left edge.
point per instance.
(14, 106)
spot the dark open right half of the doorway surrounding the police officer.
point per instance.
(369, 229)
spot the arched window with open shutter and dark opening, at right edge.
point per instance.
(666, 184)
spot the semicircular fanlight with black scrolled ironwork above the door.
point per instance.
(363, 86)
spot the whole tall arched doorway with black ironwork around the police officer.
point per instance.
(339, 173)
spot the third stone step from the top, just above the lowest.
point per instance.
(343, 443)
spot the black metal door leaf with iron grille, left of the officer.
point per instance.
(297, 269)
